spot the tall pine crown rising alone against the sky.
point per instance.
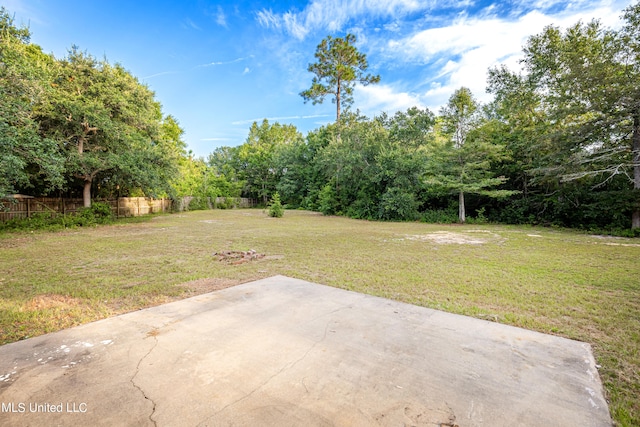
(338, 68)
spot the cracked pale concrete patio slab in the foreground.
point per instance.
(286, 352)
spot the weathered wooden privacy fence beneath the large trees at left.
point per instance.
(20, 206)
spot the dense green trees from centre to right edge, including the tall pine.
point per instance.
(558, 145)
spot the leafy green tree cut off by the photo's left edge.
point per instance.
(27, 160)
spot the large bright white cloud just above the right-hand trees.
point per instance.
(463, 51)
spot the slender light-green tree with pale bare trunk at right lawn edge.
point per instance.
(462, 163)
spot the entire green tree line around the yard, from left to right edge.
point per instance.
(558, 145)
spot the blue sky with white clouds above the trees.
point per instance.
(218, 66)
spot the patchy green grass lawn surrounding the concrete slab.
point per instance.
(560, 282)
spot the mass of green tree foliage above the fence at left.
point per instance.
(79, 122)
